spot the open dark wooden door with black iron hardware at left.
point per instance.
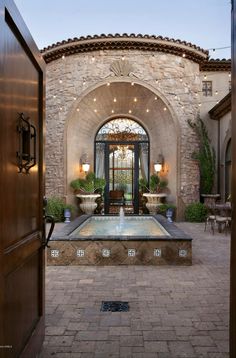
(21, 188)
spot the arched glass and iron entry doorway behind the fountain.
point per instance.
(122, 158)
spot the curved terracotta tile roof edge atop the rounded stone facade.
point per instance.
(124, 42)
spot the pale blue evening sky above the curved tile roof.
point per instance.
(205, 23)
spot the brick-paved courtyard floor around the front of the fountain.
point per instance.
(175, 312)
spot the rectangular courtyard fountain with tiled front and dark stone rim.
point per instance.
(104, 240)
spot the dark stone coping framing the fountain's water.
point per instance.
(174, 232)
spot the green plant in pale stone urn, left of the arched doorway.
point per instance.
(88, 190)
